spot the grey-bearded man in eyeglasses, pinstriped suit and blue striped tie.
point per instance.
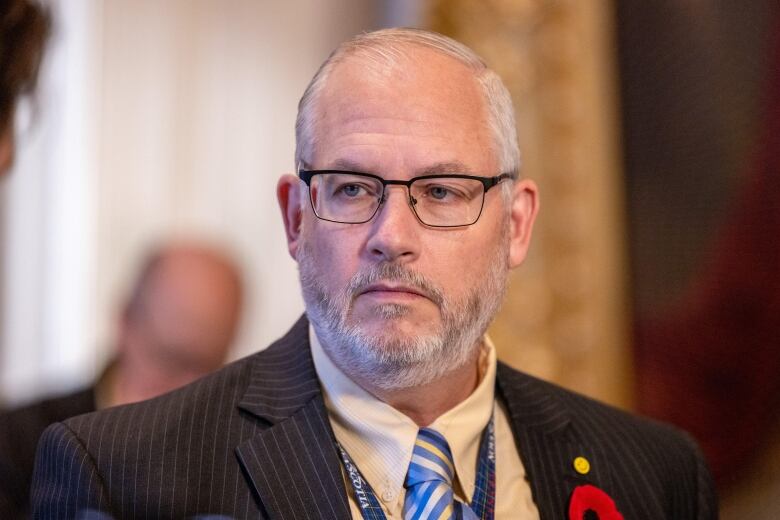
(385, 400)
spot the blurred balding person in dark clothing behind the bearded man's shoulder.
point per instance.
(176, 326)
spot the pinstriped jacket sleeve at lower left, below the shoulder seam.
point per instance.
(65, 479)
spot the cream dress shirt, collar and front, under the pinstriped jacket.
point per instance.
(380, 439)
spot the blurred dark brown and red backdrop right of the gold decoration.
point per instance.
(701, 120)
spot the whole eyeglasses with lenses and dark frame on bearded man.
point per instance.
(447, 200)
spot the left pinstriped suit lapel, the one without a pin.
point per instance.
(292, 465)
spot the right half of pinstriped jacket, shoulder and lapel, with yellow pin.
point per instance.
(650, 469)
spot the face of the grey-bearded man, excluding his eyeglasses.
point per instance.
(391, 294)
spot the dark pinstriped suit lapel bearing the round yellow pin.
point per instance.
(548, 442)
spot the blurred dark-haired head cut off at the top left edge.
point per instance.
(24, 27)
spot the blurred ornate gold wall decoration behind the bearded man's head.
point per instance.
(565, 318)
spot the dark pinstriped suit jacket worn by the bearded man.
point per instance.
(253, 441)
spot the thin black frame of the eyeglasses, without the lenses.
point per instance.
(487, 183)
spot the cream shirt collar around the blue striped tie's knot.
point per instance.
(380, 439)
